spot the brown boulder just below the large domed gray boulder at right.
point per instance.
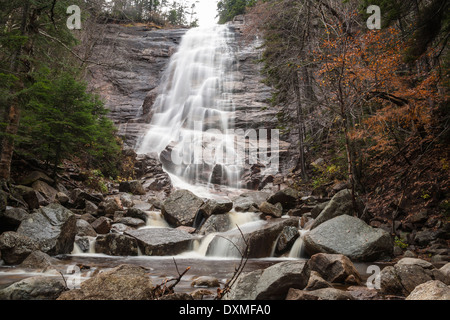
(335, 268)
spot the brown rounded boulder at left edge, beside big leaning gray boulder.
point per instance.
(15, 247)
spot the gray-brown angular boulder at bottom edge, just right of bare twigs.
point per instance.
(271, 283)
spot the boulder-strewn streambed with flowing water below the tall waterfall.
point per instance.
(62, 244)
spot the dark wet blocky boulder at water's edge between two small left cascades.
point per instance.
(115, 244)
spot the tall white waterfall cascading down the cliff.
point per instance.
(193, 114)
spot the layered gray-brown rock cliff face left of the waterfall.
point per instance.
(134, 59)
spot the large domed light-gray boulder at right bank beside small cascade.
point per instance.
(351, 237)
